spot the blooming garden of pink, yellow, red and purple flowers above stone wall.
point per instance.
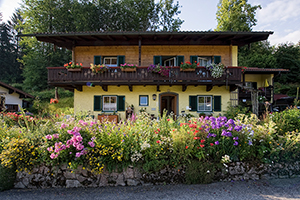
(201, 146)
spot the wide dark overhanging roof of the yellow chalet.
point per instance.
(70, 39)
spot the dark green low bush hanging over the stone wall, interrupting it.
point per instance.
(200, 172)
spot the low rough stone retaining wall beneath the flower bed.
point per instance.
(45, 177)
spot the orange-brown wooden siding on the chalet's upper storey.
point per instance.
(85, 55)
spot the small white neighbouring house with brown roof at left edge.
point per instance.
(12, 99)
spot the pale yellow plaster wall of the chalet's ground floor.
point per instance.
(83, 101)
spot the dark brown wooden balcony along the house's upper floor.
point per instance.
(61, 77)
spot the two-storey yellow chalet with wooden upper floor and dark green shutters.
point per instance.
(179, 92)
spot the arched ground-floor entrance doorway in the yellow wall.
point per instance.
(168, 102)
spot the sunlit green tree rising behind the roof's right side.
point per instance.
(236, 15)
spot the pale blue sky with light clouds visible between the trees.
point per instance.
(280, 16)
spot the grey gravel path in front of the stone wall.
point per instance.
(262, 189)
